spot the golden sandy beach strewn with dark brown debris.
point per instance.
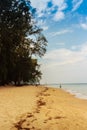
(41, 108)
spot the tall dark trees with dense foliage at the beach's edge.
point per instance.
(20, 41)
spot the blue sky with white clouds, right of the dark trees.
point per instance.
(65, 26)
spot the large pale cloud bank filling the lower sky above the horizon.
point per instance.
(65, 65)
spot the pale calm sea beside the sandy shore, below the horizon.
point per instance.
(78, 89)
